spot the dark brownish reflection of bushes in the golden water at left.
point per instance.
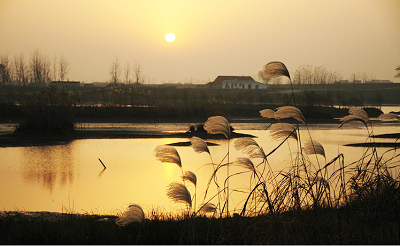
(47, 164)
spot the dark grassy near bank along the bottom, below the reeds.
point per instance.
(349, 225)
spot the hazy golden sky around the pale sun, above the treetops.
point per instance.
(235, 37)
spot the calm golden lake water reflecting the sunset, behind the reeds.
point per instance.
(71, 178)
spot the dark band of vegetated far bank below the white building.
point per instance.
(156, 102)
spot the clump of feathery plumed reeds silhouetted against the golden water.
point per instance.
(304, 183)
